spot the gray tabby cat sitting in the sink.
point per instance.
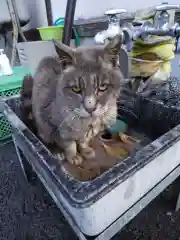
(74, 97)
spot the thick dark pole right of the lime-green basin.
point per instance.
(68, 21)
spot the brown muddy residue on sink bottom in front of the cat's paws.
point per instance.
(92, 168)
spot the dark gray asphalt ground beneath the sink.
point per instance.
(27, 213)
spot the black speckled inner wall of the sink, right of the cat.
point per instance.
(156, 108)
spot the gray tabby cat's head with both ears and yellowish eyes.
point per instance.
(91, 78)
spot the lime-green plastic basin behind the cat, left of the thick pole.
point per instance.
(52, 32)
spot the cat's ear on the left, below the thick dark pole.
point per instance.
(64, 52)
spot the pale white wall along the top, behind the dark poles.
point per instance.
(85, 8)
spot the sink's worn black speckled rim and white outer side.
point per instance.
(117, 189)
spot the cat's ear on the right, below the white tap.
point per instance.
(112, 50)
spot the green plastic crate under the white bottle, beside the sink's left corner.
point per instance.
(9, 87)
